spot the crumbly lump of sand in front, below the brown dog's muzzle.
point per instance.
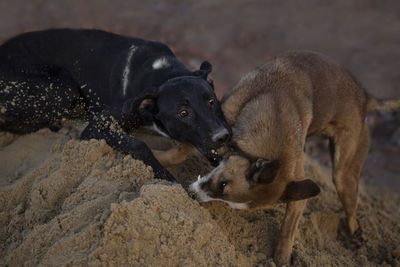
(164, 228)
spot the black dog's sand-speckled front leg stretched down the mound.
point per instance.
(105, 126)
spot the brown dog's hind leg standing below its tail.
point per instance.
(349, 155)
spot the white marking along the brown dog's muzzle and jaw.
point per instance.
(204, 197)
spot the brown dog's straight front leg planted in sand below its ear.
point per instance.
(294, 211)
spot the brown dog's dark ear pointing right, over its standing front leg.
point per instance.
(300, 190)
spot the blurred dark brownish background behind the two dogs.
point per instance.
(237, 36)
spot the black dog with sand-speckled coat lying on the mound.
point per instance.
(121, 82)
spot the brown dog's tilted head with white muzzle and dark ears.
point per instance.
(244, 185)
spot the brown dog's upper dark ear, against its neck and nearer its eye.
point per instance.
(263, 171)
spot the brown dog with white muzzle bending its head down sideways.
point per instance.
(271, 111)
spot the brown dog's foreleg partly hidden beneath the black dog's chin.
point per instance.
(173, 156)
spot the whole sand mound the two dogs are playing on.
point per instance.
(69, 202)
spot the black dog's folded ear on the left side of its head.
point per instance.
(144, 101)
